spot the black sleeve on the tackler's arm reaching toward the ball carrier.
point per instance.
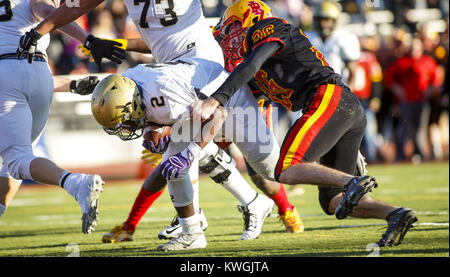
(245, 71)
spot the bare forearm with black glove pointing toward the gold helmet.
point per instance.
(82, 86)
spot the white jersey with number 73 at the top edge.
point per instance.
(174, 28)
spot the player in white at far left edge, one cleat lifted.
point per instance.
(26, 94)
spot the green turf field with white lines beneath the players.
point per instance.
(46, 222)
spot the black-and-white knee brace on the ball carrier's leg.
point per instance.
(217, 166)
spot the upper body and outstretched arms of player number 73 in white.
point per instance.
(170, 29)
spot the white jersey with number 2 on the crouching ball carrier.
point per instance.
(168, 89)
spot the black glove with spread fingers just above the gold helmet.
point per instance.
(103, 48)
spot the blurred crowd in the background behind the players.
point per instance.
(402, 76)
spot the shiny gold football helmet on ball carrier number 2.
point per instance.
(117, 105)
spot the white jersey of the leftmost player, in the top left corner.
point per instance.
(16, 19)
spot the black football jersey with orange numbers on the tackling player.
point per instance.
(291, 75)
